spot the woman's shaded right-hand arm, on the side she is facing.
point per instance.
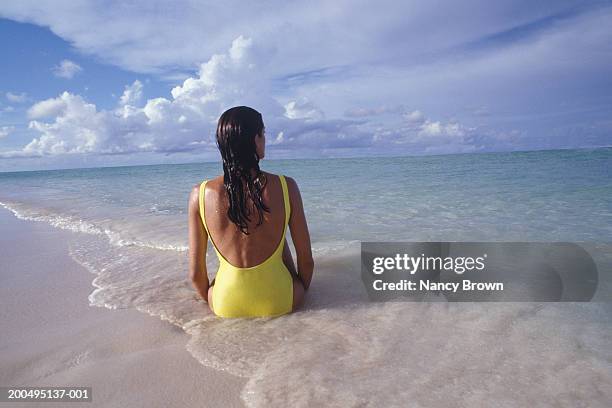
(300, 234)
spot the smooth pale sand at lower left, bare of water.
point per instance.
(50, 336)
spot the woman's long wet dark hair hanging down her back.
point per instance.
(236, 132)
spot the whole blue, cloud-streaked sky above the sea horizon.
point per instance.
(93, 83)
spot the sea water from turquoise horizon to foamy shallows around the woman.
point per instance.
(342, 350)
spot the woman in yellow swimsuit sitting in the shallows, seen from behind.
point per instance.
(245, 214)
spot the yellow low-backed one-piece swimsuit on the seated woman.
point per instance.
(262, 290)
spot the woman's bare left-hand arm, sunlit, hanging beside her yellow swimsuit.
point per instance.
(198, 240)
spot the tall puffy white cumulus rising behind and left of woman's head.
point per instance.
(185, 121)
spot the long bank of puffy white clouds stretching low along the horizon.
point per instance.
(186, 120)
